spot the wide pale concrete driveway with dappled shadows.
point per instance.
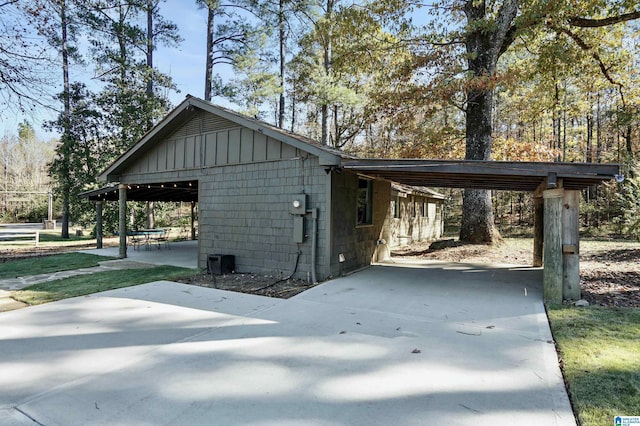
(409, 344)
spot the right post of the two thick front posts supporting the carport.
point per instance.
(571, 245)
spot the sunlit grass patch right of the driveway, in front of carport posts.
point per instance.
(600, 351)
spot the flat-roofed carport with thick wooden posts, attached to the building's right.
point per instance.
(556, 188)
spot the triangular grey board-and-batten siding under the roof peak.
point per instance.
(208, 141)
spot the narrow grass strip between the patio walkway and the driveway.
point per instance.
(101, 281)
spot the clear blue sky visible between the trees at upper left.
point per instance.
(184, 63)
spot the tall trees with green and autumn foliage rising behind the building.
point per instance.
(474, 79)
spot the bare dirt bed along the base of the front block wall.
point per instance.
(259, 284)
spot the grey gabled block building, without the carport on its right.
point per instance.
(276, 201)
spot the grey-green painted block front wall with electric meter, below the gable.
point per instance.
(245, 212)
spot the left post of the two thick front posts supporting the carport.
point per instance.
(553, 275)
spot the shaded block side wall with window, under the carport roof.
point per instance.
(356, 242)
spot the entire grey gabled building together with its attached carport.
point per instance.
(283, 204)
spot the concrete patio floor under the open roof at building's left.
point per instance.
(180, 253)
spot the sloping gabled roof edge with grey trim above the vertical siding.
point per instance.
(185, 111)
